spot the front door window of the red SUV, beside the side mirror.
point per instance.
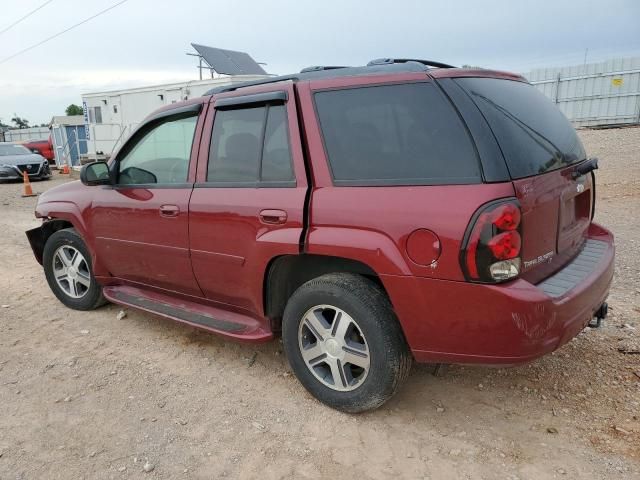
(162, 154)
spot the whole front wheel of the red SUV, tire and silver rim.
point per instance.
(67, 266)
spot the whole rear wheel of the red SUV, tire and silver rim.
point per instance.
(344, 342)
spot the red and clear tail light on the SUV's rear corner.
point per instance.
(493, 243)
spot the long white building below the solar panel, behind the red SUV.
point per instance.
(110, 117)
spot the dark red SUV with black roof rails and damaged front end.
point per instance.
(371, 216)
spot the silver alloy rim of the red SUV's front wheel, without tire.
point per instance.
(71, 271)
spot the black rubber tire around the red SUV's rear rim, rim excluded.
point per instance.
(367, 304)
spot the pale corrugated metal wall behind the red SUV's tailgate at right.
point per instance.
(606, 93)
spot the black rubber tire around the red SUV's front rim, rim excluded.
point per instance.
(92, 298)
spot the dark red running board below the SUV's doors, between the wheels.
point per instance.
(223, 322)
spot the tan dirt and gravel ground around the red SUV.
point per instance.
(85, 395)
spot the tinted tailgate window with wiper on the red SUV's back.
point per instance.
(535, 137)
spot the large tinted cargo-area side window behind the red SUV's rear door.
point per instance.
(406, 134)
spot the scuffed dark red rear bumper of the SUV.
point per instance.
(461, 322)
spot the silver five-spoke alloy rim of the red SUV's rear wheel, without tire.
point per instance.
(334, 348)
